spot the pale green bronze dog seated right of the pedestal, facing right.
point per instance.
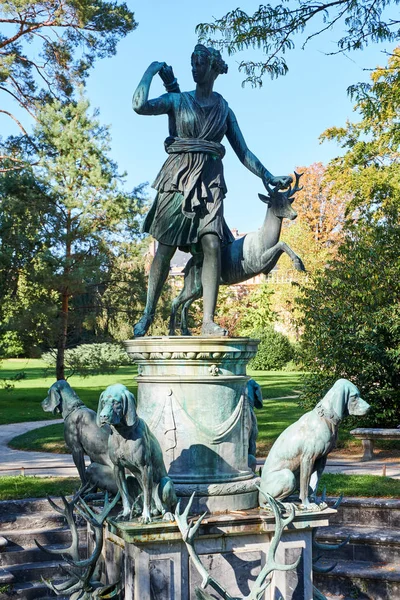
(298, 457)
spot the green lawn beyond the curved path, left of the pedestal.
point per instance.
(23, 402)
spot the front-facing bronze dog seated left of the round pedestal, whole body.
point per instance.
(133, 446)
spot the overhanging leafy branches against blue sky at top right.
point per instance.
(273, 29)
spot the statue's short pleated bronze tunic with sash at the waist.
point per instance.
(190, 185)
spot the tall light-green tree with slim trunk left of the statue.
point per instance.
(93, 212)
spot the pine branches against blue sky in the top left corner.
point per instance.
(66, 36)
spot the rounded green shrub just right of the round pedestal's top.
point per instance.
(274, 350)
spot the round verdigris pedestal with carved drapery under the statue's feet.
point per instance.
(191, 393)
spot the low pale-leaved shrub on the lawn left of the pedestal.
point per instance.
(91, 359)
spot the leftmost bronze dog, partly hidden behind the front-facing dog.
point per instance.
(82, 435)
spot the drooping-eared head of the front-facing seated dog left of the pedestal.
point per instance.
(117, 406)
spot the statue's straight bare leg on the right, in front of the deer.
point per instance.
(210, 277)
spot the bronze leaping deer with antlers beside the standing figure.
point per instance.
(254, 253)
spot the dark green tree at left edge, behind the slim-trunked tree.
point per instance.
(27, 220)
